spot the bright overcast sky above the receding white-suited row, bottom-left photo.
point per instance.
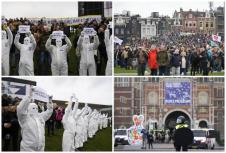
(96, 90)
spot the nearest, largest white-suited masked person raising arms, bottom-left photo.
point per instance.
(32, 124)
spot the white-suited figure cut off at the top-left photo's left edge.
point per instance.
(6, 45)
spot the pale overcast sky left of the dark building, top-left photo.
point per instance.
(39, 9)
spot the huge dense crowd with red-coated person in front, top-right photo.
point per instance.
(171, 54)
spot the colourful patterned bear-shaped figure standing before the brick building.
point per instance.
(135, 131)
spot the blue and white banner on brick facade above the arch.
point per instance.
(178, 92)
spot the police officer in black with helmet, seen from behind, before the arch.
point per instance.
(183, 136)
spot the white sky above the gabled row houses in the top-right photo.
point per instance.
(164, 7)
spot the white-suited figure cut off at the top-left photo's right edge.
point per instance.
(108, 44)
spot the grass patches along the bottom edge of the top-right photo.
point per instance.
(132, 72)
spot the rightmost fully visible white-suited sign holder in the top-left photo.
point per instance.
(87, 50)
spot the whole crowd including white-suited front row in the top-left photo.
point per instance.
(35, 52)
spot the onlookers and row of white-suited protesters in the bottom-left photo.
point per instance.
(29, 118)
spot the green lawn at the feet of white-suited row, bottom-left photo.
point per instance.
(102, 141)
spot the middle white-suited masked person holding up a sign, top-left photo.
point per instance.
(59, 65)
